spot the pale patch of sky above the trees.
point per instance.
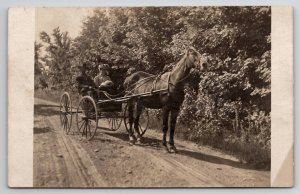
(67, 19)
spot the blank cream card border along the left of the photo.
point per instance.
(20, 96)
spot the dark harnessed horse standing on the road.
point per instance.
(167, 94)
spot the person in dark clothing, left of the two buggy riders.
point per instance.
(83, 80)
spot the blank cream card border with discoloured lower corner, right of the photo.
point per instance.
(282, 115)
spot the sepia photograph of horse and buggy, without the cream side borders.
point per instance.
(152, 97)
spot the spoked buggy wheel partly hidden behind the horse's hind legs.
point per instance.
(143, 122)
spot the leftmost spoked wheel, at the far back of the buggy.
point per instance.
(65, 109)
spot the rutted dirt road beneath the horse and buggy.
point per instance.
(108, 160)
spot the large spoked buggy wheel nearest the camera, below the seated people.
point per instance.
(87, 117)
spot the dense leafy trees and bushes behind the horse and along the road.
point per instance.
(228, 105)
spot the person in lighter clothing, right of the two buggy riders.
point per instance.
(102, 80)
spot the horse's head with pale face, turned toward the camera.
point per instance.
(196, 60)
